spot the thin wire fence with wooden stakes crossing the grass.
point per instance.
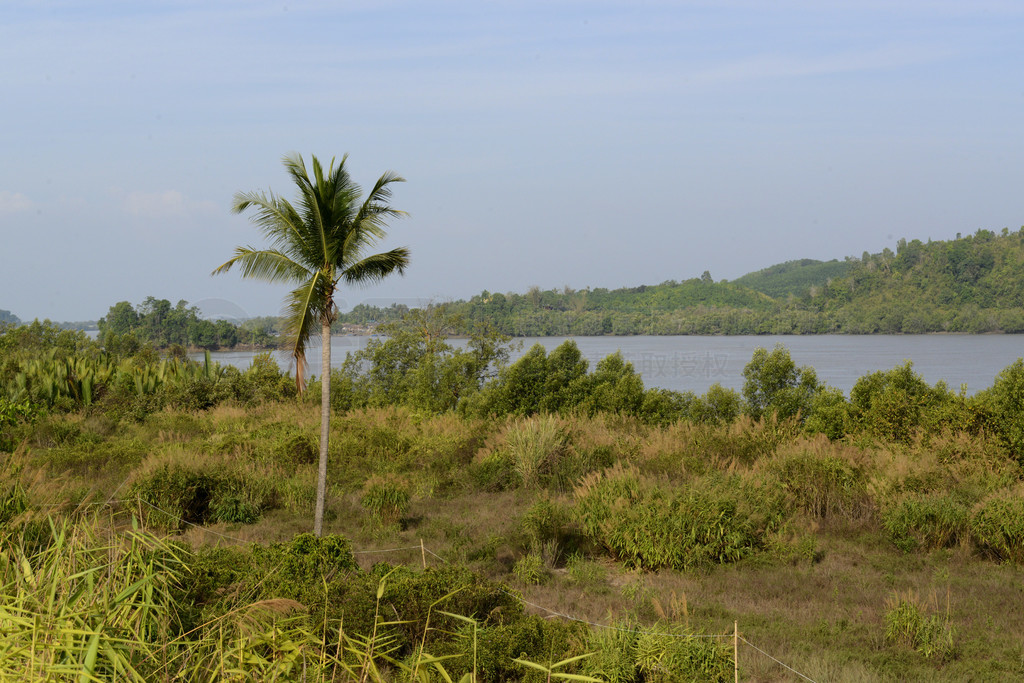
(112, 502)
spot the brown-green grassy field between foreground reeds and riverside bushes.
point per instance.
(849, 561)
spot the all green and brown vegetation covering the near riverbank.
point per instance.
(153, 527)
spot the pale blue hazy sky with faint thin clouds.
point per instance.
(564, 143)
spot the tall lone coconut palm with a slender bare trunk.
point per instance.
(318, 244)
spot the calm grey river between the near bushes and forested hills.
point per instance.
(694, 364)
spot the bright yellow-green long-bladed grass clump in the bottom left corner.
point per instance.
(87, 605)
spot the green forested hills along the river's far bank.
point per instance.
(968, 285)
